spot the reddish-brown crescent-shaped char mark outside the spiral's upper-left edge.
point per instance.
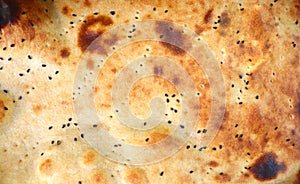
(91, 30)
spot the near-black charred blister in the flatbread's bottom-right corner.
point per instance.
(266, 167)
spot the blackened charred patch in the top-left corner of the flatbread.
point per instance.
(9, 12)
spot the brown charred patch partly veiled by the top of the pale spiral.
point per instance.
(172, 39)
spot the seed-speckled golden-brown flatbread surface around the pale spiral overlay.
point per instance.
(256, 44)
